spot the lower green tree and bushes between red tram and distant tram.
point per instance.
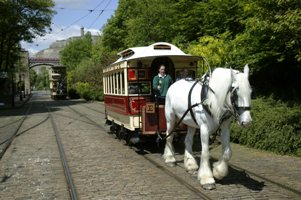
(84, 62)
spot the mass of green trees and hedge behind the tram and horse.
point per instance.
(265, 34)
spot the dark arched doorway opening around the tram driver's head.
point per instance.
(167, 62)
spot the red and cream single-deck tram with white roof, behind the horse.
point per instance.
(129, 98)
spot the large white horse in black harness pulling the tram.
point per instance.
(229, 92)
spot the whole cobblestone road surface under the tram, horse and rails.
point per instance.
(104, 168)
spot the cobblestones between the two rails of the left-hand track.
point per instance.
(31, 167)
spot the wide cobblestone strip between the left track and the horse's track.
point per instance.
(105, 169)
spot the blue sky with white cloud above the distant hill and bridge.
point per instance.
(70, 17)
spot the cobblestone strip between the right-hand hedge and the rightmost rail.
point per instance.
(281, 169)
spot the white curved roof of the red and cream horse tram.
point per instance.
(154, 50)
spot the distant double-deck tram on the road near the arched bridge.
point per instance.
(58, 82)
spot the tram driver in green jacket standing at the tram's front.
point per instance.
(161, 83)
